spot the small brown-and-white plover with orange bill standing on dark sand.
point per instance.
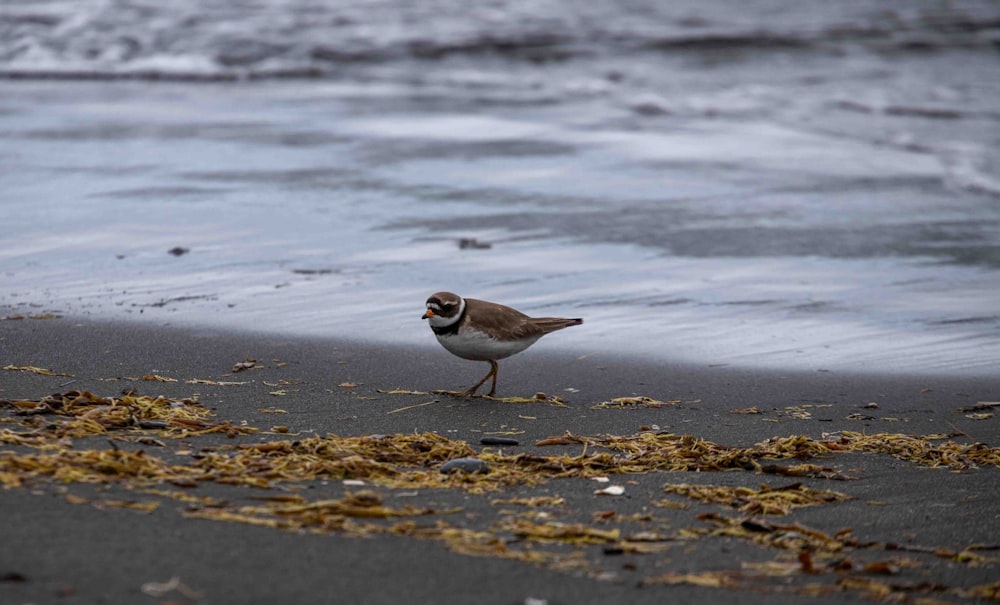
(479, 330)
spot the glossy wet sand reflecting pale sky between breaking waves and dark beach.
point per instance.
(729, 239)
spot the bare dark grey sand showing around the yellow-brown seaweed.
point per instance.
(78, 553)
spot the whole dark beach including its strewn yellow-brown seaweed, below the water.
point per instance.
(514, 534)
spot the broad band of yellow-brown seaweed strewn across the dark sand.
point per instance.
(70, 439)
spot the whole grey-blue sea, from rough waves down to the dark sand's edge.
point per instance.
(800, 186)
